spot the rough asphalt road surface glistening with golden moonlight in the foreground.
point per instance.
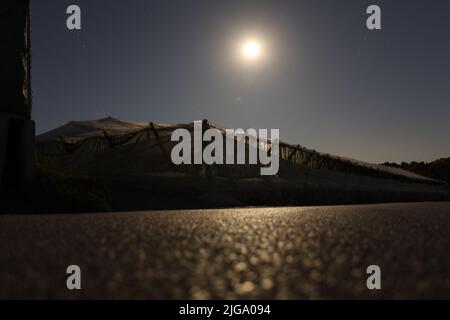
(281, 253)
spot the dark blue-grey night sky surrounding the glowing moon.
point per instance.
(325, 80)
